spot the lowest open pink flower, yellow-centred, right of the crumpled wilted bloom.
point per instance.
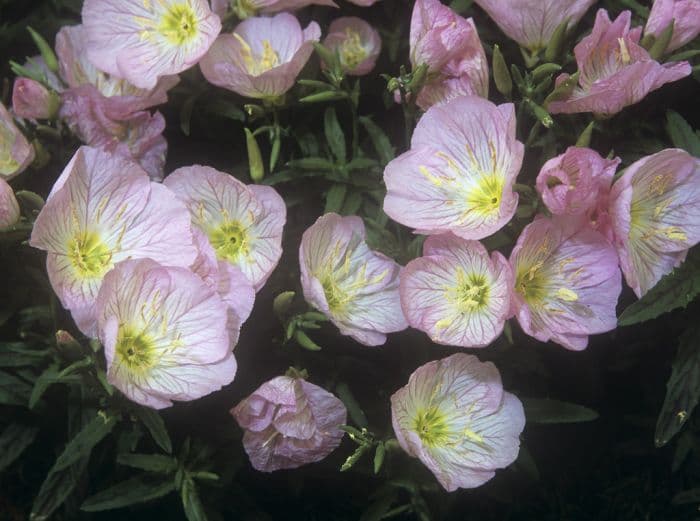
(456, 418)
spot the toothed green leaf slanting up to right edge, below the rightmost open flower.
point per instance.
(675, 290)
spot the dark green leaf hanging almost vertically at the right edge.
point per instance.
(682, 388)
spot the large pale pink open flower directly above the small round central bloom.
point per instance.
(459, 174)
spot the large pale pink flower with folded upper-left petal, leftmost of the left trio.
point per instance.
(103, 209)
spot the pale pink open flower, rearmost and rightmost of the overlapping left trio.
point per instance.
(243, 223)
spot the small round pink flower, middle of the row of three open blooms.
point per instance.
(456, 293)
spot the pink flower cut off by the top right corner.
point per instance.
(685, 15)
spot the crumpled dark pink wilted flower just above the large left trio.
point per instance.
(96, 122)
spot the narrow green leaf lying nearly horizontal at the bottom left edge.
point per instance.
(135, 490)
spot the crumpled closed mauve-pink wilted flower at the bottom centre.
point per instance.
(289, 422)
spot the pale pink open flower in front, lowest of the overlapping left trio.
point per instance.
(164, 334)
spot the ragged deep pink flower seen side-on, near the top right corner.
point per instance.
(615, 71)
